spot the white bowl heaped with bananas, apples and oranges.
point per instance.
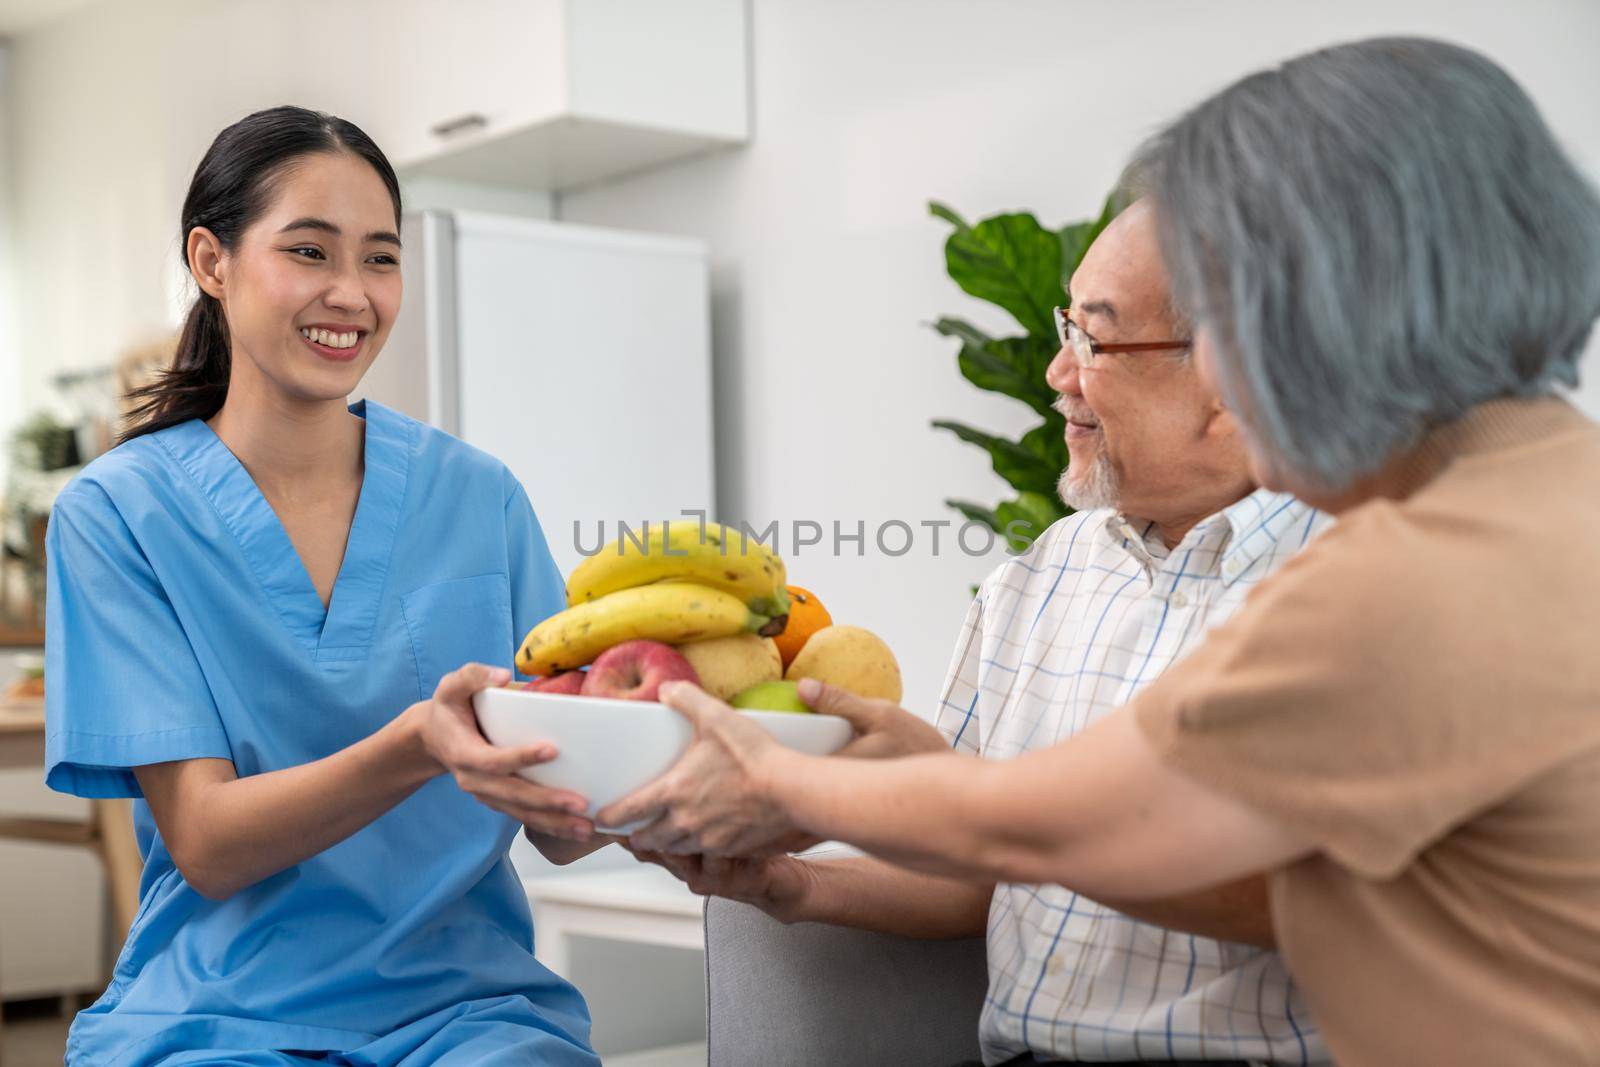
(684, 602)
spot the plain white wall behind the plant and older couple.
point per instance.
(826, 265)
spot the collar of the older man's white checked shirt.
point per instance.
(1242, 533)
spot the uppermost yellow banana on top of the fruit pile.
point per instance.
(678, 551)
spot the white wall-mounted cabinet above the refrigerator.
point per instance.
(540, 94)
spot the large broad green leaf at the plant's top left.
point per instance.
(1007, 260)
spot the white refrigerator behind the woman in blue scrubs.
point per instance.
(578, 356)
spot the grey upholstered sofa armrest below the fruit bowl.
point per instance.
(815, 994)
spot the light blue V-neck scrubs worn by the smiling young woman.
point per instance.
(182, 625)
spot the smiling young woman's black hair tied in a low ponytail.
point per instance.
(230, 191)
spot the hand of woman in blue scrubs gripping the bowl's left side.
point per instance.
(449, 735)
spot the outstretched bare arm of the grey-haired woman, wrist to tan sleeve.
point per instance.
(1097, 813)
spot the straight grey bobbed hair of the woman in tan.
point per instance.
(1377, 238)
